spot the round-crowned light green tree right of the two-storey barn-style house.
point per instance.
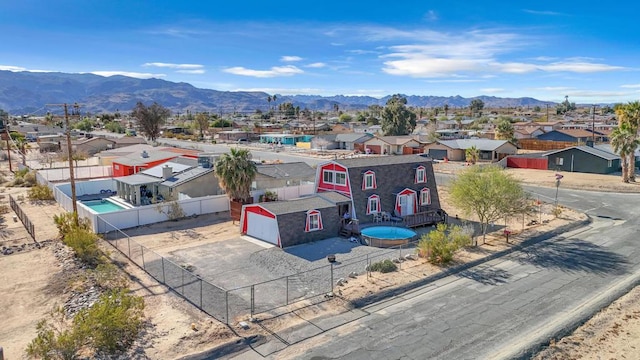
(486, 192)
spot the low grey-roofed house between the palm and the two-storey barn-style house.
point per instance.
(270, 176)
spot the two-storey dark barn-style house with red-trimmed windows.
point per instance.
(404, 185)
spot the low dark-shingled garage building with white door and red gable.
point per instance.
(297, 221)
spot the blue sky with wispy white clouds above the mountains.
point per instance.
(543, 49)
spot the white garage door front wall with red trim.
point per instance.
(260, 223)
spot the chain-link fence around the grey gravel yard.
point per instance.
(231, 305)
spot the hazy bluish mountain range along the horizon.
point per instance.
(36, 93)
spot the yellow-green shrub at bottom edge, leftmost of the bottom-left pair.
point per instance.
(55, 339)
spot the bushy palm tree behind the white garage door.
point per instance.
(236, 172)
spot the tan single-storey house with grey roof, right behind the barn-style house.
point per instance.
(455, 150)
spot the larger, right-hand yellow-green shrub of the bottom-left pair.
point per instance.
(113, 323)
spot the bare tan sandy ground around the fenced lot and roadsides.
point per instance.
(176, 328)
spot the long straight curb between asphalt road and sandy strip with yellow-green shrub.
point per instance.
(397, 291)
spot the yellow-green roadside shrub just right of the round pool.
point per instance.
(439, 247)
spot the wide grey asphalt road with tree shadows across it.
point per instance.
(497, 310)
